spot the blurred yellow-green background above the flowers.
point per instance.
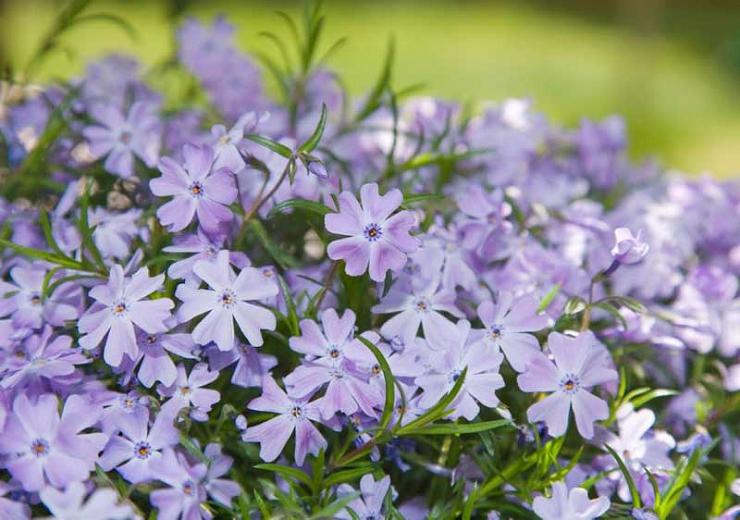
(672, 68)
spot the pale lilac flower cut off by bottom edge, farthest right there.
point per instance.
(571, 504)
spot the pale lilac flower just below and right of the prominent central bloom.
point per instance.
(418, 302)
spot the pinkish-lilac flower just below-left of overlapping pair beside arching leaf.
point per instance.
(293, 415)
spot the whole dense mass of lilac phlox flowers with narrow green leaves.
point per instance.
(238, 305)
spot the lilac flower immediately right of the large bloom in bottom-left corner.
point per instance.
(137, 448)
